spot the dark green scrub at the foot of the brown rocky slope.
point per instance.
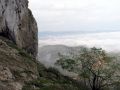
(51, 79)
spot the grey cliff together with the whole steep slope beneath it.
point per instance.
(18, 69)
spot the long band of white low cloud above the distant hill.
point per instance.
(108, 41)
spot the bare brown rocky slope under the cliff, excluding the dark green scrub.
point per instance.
(16, 66)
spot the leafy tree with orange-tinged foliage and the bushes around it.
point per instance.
(95, 68)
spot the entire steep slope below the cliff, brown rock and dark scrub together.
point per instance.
(19, 71)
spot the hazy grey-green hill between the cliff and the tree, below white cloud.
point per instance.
(49, 54)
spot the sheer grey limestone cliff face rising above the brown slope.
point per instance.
(18, 24)
